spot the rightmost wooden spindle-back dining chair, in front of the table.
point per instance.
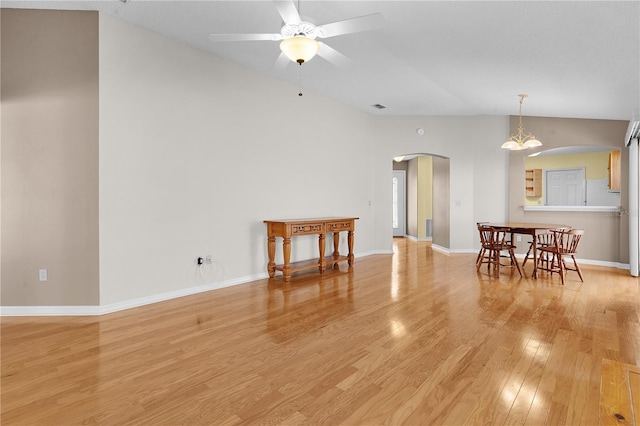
(565, 244)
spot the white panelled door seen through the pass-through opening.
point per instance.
(565, 187)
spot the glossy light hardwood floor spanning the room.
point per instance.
(416, 338)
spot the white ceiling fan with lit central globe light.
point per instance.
(298, 38)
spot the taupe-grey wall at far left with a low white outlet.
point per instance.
(49, 95)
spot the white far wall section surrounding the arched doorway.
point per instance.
(479, 169)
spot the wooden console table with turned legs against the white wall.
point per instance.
(321, 226)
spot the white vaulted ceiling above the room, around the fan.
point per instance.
(574, 59)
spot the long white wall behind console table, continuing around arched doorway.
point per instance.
(195, 152)
